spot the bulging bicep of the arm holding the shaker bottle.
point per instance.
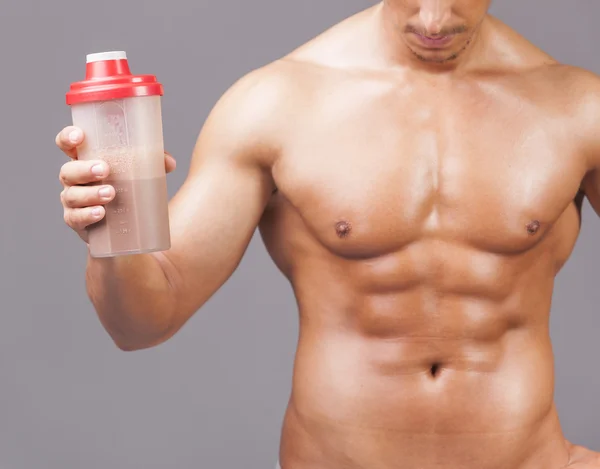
(212, 219)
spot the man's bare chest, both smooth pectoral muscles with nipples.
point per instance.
(371, 177)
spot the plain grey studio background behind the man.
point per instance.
(214, 396)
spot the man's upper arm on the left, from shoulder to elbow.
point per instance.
(216, 211)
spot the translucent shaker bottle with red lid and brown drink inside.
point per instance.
(120, 115)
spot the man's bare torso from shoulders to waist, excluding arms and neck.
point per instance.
(422, 220)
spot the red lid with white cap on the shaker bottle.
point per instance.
(108, 77)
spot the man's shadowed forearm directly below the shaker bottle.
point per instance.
(133, 298)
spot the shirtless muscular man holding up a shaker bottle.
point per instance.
(417, 173)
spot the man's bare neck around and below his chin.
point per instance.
(400, 54)
